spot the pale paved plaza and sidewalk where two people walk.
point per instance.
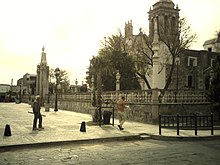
(64, 126)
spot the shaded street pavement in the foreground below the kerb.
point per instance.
(125, 152)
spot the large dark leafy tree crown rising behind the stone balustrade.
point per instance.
(114, 59)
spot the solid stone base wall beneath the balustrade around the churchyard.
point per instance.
(140, 112)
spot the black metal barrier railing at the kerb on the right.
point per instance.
(186, 122)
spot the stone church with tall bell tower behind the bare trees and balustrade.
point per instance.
(191, 66)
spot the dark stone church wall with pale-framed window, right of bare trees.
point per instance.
(190, 71)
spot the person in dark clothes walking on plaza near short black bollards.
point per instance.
(37, 114)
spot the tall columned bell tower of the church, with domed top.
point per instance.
(167, 17)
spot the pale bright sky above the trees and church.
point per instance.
(72, 30)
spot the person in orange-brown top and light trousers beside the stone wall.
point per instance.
(121, 112)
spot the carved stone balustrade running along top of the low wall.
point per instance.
(140, 96)
